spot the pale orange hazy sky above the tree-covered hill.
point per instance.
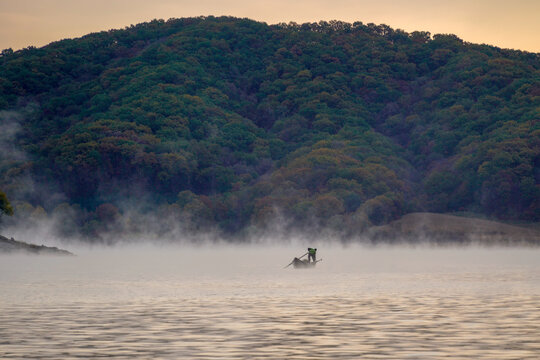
(504, 23)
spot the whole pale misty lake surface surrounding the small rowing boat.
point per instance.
(239, 303)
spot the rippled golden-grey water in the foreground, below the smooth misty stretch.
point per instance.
(425, 327)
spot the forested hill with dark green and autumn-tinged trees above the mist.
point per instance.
(233, 124)
